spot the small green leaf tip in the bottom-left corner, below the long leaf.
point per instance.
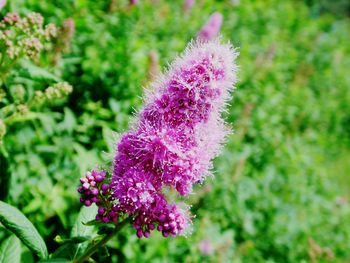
(10, 250)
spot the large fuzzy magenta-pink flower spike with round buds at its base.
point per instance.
(173, 140)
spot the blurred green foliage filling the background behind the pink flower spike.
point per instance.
(281, 186)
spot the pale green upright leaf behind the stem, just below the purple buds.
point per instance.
(79, 229)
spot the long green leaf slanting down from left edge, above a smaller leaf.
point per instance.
(19, 224)
